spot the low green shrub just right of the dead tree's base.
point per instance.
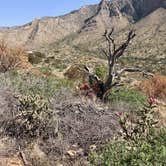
(130, 98)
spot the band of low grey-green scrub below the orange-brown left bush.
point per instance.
(47, 86)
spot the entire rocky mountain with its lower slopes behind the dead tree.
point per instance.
(77, 36)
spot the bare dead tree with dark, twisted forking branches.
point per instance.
(112, 53)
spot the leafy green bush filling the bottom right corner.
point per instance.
(141, 152)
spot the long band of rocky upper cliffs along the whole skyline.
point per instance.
(91, 19)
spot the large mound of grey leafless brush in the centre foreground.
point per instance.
(85, 123)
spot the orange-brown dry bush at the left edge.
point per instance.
(11, 58)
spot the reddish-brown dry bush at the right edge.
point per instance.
(155, 86)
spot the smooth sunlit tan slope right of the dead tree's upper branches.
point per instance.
(151, 35)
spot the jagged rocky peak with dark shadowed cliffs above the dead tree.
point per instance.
(119, 13)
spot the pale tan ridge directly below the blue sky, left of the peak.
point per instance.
(47, 29)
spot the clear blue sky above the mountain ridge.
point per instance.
(18, 12)
